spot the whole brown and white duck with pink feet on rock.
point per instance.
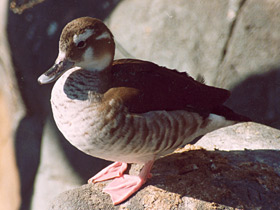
(127, 110)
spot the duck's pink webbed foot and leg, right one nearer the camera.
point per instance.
(123, 187)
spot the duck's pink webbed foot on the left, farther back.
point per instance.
(114, 170)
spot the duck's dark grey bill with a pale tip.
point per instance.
(55, 71)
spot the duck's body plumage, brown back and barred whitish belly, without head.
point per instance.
(142, 111)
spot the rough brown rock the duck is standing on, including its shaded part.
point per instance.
(237, 176)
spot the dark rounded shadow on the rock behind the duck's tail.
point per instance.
(257, 97)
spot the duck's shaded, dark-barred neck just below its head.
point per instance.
(85, 85)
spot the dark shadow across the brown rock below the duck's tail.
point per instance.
(240, 179)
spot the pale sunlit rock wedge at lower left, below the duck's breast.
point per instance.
(55, 174)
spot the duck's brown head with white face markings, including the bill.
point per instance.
(84, 42)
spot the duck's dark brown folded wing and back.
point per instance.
(146, 86)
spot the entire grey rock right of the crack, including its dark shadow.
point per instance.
(251, 64)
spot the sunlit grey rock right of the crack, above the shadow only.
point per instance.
(253, 47)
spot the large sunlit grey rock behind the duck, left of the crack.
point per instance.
(186, 35)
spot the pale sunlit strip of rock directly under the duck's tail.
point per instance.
(242, 136)
